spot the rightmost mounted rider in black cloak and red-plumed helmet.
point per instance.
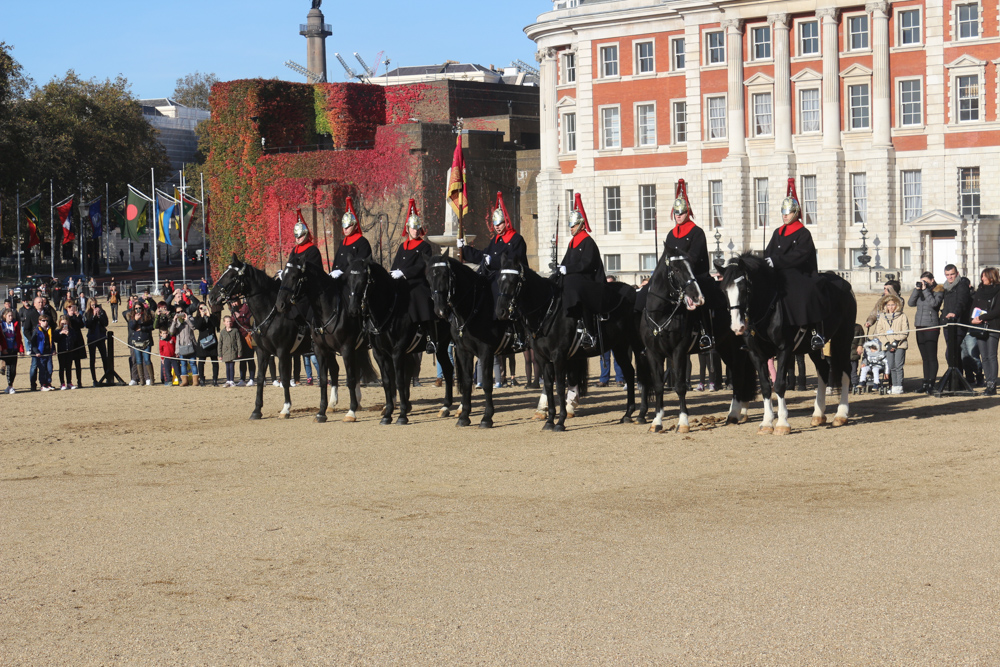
(792, 253)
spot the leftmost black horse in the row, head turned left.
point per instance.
(274, 335)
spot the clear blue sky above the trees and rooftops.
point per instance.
(152, 44)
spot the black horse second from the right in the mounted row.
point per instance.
(669, 326)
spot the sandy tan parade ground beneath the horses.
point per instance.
(160, 526)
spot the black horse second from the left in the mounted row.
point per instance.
(333, 331)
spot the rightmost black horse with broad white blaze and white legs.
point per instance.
(753, 293)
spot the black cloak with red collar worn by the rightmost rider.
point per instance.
(794, 258)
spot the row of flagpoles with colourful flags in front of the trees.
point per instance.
(131, 211)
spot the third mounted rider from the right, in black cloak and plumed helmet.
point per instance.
(585, 282)
